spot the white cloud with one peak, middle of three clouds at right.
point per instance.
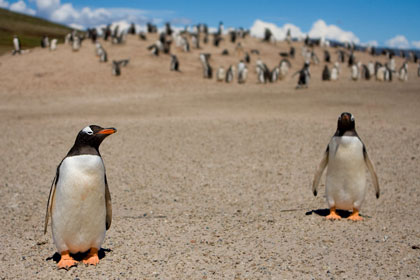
(321, 30)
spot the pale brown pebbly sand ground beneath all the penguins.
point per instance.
(208, 180)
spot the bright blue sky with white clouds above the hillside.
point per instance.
(369, 21)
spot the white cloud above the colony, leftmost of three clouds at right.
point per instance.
(279, 33)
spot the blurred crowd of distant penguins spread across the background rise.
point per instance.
(197, 36)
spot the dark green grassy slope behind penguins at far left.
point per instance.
(29, 29)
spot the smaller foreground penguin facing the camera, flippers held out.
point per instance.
(347, 159)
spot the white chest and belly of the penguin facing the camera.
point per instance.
(346, 174)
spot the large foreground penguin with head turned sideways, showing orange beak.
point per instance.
(79, 202)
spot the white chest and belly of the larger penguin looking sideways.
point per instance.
(79, 211)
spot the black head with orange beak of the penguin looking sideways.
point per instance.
(93, 135)
